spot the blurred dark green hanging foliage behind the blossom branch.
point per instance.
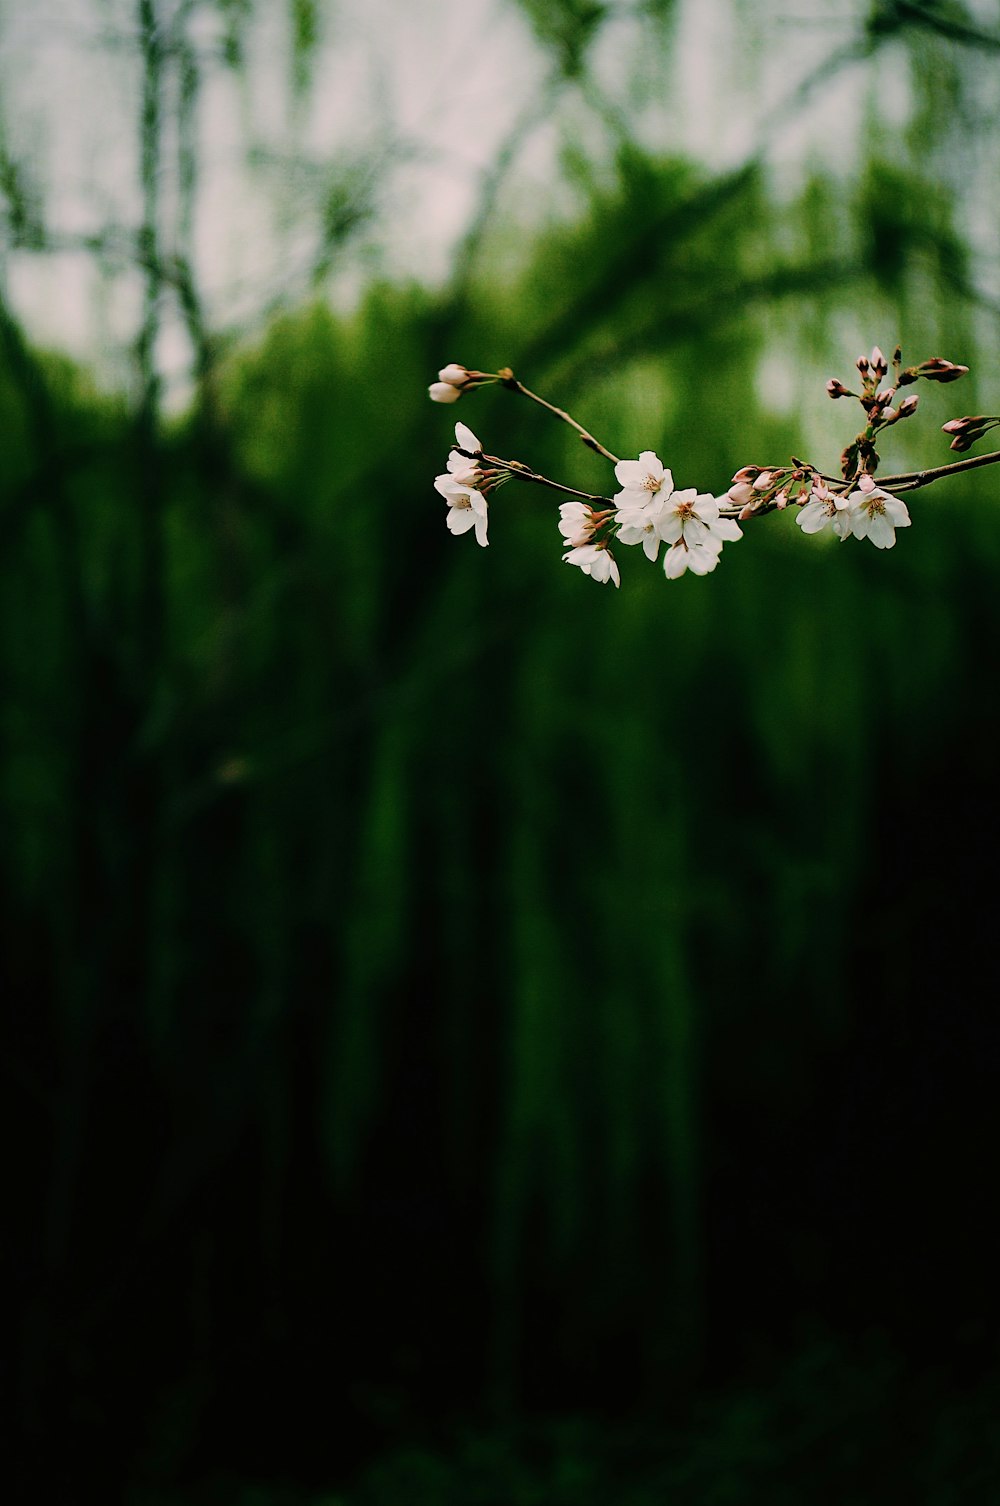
(478, 1037)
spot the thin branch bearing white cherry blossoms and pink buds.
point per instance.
(691, 526)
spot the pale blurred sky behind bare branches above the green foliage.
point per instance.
(311, 147)
